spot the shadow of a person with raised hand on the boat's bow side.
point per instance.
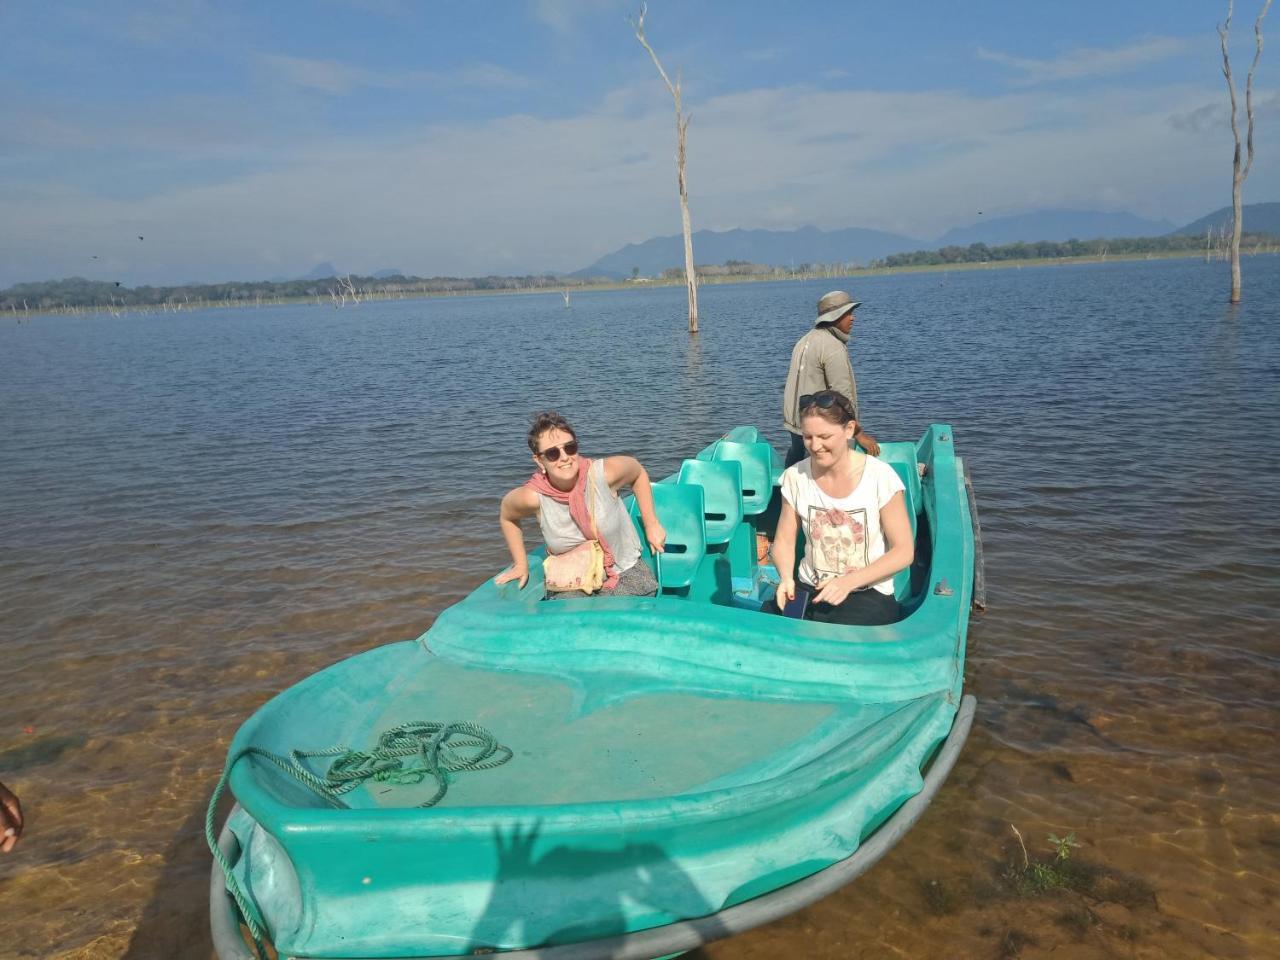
(569, 895)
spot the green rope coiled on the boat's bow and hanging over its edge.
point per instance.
(441, 749)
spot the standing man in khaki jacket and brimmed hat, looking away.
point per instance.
(820, 362)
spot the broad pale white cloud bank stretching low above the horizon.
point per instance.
(531, 194)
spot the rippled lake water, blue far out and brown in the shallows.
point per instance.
(199, 510)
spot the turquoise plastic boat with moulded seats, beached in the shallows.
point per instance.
(683, 767)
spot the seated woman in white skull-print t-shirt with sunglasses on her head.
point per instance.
(853, 511)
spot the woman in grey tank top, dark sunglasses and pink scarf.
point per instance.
(557, 495)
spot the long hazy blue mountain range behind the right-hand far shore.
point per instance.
(815, 246)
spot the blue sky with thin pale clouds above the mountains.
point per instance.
(253, 141)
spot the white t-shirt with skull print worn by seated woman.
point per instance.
(842, 533)
